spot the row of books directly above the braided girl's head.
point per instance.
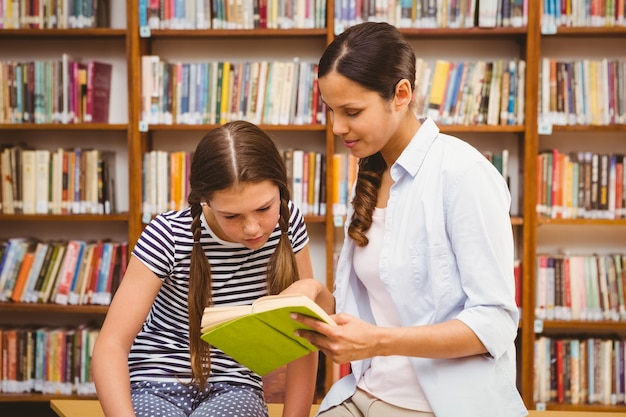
(277, 92)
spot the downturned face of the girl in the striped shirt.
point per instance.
(245, 214)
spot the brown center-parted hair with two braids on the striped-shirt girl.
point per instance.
(236, 153)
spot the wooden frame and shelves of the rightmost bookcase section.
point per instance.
(538, 228)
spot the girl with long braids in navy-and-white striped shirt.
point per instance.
(239, 239)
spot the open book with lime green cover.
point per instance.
(261, 336)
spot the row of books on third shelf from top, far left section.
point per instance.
(62, 181)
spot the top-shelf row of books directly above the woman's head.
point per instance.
(432, 14)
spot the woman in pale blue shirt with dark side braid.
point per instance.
(424, 284)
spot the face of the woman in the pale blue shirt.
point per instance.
(360, 117)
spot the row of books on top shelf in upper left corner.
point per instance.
(54, 14)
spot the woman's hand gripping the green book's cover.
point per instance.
(352, 338)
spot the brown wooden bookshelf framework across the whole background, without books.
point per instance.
(125, 42)
